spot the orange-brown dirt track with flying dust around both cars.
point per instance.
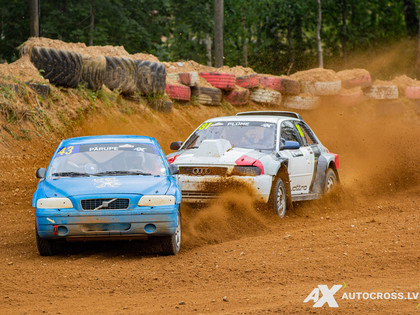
(367, 235)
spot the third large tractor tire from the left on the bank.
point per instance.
(120, 74)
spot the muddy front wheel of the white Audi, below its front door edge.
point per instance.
(280, 199)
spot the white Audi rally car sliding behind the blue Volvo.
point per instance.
(274, 151)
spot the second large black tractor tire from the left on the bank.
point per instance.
(93, 71)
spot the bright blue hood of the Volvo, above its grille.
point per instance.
(72, 186)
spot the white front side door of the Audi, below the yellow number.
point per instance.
(301, 161)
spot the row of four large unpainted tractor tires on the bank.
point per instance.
(69, 69)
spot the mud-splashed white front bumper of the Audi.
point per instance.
(194, 190)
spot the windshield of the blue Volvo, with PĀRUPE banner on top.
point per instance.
(107, 159)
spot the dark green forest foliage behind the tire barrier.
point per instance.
(274, 36)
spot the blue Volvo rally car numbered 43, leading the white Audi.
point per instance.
(107, 187)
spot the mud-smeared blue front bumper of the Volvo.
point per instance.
(134, 223)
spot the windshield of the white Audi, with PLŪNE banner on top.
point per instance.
(241, 134)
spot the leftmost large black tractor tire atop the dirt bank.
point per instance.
(60, 67)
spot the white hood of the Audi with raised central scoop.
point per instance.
(215, 154)
